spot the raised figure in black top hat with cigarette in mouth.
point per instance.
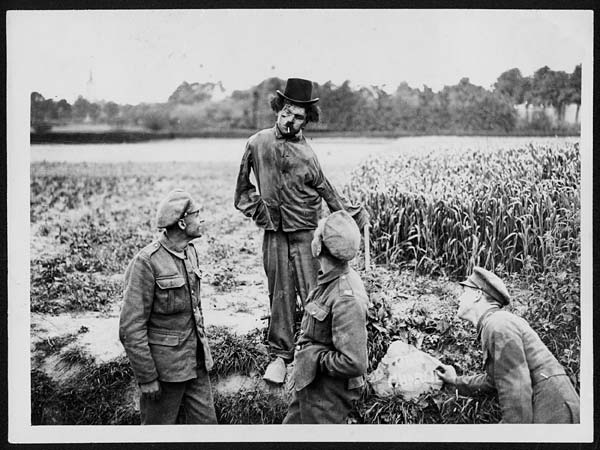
(287, 205)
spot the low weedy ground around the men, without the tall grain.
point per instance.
(88, 220)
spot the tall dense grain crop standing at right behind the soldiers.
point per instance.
(448, 211)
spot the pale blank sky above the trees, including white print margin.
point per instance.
(135, 56)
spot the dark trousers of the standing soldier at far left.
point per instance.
(187, 402)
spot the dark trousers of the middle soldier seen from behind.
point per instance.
(325, 400)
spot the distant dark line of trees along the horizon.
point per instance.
(459, 108)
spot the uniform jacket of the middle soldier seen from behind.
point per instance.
(333, 338)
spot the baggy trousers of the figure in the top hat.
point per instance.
(291, 271)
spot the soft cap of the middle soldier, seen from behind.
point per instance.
(339, 233)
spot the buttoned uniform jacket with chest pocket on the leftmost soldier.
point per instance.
(161, 324)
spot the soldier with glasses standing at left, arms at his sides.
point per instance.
(161, 324)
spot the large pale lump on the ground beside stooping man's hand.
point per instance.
(405, 371)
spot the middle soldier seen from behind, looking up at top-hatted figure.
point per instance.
(331, 352)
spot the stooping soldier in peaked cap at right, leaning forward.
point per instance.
(531, 384)
